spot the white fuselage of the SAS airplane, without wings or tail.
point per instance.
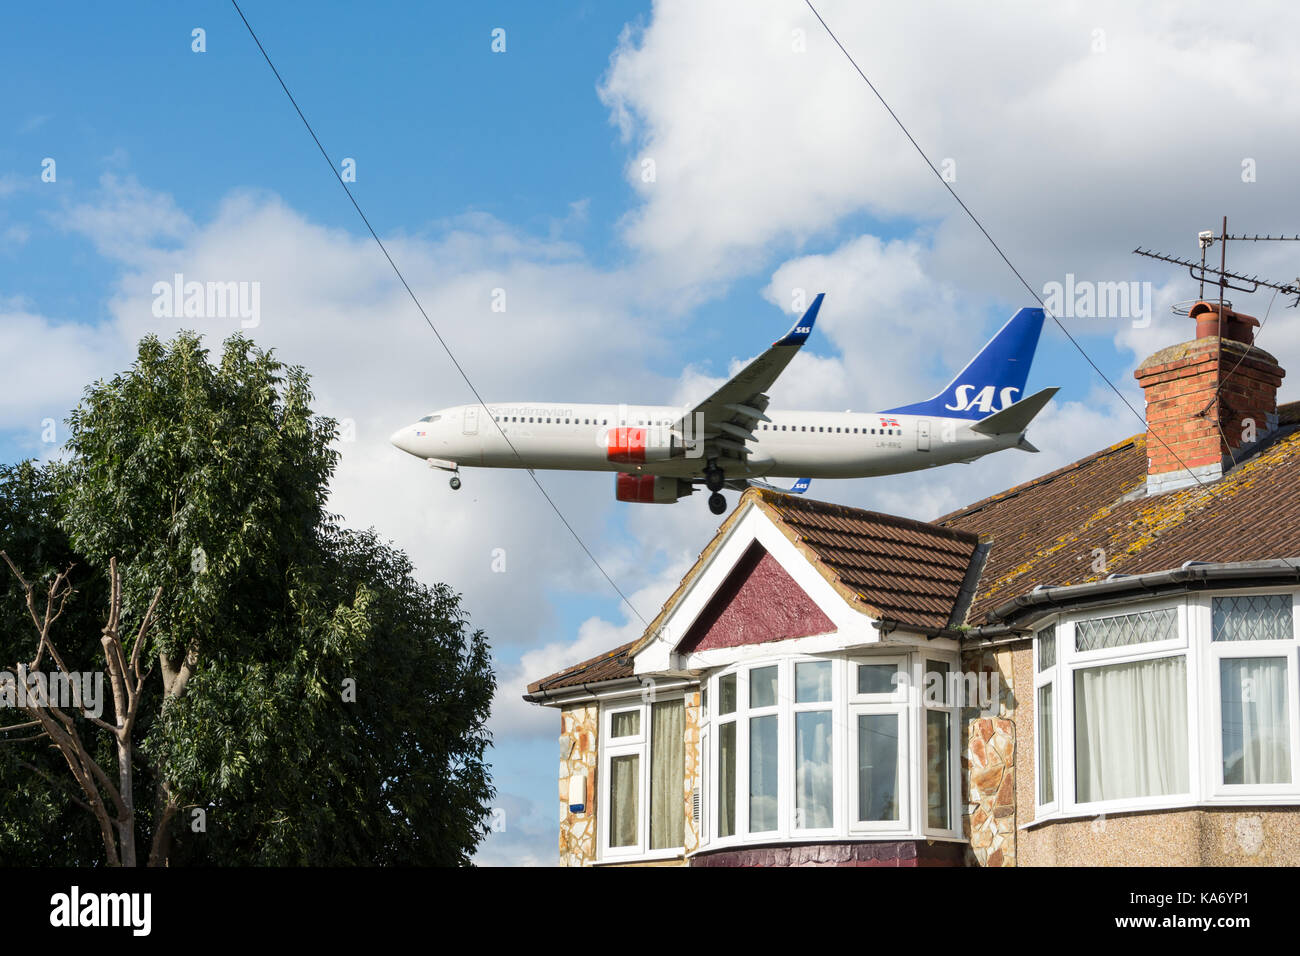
(794, 444)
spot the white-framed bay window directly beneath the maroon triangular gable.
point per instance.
(813, 749)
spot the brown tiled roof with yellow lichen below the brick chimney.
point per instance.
(1095, 514)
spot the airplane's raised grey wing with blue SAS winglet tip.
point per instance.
(727, 419)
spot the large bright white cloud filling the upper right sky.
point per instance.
(1071, 154)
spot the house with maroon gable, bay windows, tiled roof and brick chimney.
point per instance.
(1099, 667)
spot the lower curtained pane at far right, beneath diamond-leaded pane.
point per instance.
(1256, 720)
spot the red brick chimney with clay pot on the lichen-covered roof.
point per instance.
(1207, 427)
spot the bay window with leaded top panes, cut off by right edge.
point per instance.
(1184, 702)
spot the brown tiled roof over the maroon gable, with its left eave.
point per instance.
(887, 566)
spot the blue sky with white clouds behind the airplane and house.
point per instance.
(777, 170)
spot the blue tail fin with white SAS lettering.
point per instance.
(994, 379)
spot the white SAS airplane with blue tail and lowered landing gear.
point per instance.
(734, 440)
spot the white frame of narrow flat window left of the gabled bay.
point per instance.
(639, 746)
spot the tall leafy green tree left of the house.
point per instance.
(315, 704)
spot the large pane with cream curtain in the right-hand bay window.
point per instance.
(1130, 730)
